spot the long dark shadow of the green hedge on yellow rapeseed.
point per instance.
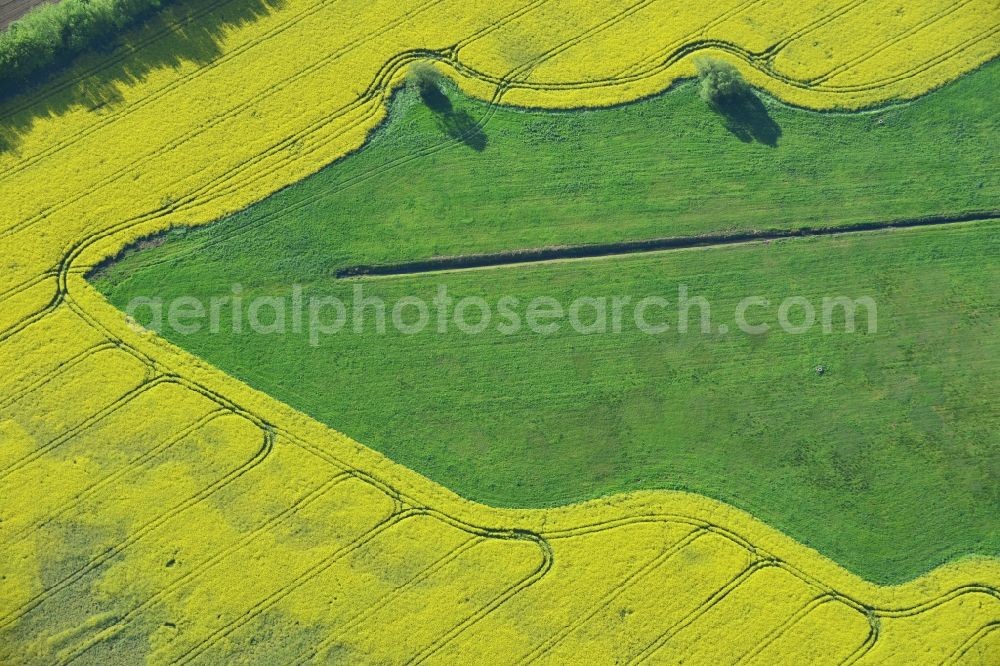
(190, 30)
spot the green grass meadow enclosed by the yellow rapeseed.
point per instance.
(886, 462)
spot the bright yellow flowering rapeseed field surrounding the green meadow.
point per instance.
(156, 509)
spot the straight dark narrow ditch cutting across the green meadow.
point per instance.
(647, 246)
